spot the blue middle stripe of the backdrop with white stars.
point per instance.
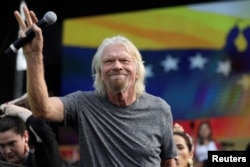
(196, 83)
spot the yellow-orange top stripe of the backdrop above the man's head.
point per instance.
(162, 28)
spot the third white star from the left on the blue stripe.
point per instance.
(197, 61)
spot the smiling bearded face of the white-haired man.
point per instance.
(118, 69)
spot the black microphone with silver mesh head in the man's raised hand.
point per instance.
(48, 19)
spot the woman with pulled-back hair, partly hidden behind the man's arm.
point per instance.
(185, 147)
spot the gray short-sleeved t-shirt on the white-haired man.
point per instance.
(115, 136)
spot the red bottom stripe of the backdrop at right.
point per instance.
(224, 127)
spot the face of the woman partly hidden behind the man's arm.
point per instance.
(183, 154)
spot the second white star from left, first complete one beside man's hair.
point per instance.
(170, 63)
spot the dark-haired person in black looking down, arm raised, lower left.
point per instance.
(26, 140)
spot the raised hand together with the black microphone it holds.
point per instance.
(31, 30)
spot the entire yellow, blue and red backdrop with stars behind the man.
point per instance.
(197, 58)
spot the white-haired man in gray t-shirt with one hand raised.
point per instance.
(118, 124)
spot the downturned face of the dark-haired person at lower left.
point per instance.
(12, 146)
